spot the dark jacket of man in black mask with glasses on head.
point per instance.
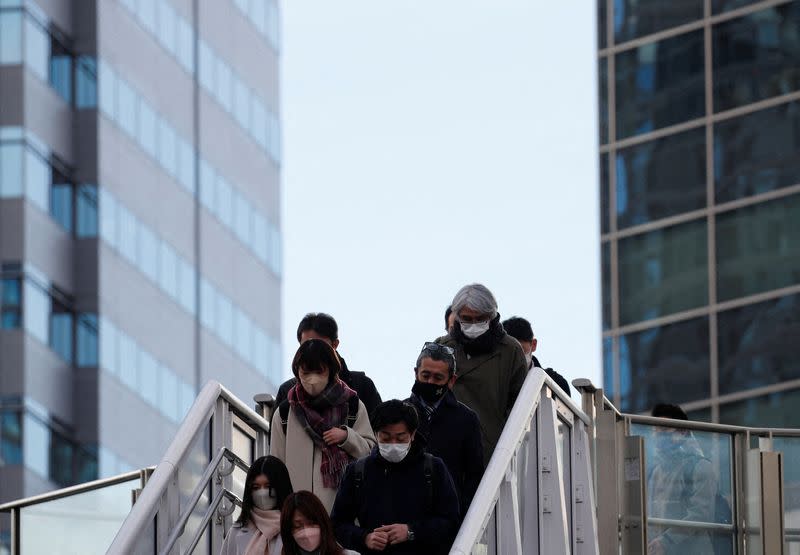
(454, 435)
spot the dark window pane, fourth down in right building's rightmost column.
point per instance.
(758, 344)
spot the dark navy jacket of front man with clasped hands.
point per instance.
(396, 493)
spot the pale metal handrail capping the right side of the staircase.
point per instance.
(480, 510)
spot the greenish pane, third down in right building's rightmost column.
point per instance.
(758, 248)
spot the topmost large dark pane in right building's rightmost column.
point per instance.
(756, 56)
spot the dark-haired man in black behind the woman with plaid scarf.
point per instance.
(322, 326)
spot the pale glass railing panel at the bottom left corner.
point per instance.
(82, 523)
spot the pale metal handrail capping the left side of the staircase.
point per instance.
(198, 416)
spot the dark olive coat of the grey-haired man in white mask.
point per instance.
(489, 384)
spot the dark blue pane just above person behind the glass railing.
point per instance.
(668, 364)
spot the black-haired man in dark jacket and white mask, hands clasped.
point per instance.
(402, 498)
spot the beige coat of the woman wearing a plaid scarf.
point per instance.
(303, 459)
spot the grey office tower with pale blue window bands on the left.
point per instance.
(140, 242)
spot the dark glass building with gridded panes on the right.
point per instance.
(700, 206)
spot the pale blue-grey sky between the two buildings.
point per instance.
(431, 144)
